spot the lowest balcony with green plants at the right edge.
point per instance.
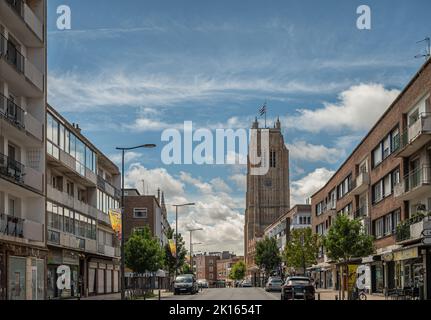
(412, 230)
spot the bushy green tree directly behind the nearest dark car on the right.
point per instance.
(302, 249)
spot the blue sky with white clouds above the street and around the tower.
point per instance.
(128, 70)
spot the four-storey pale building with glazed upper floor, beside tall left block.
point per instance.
(82, 186)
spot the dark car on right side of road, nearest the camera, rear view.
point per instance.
(298, 288)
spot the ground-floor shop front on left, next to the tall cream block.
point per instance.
(61, 262)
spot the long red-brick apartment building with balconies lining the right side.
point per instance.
(385, 183)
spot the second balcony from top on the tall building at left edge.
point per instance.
(21, 74)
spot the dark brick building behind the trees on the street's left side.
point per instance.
(146, 211)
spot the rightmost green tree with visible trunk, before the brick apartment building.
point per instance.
(346, 240)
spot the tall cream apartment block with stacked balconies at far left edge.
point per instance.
(23, 253)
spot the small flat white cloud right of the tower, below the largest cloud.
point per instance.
(301, 150)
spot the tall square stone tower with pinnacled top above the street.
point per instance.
(268, 196)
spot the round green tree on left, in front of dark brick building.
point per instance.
(143, 252)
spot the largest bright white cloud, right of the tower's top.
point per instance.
(358, 108)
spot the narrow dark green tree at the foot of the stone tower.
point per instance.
(267, 255)
